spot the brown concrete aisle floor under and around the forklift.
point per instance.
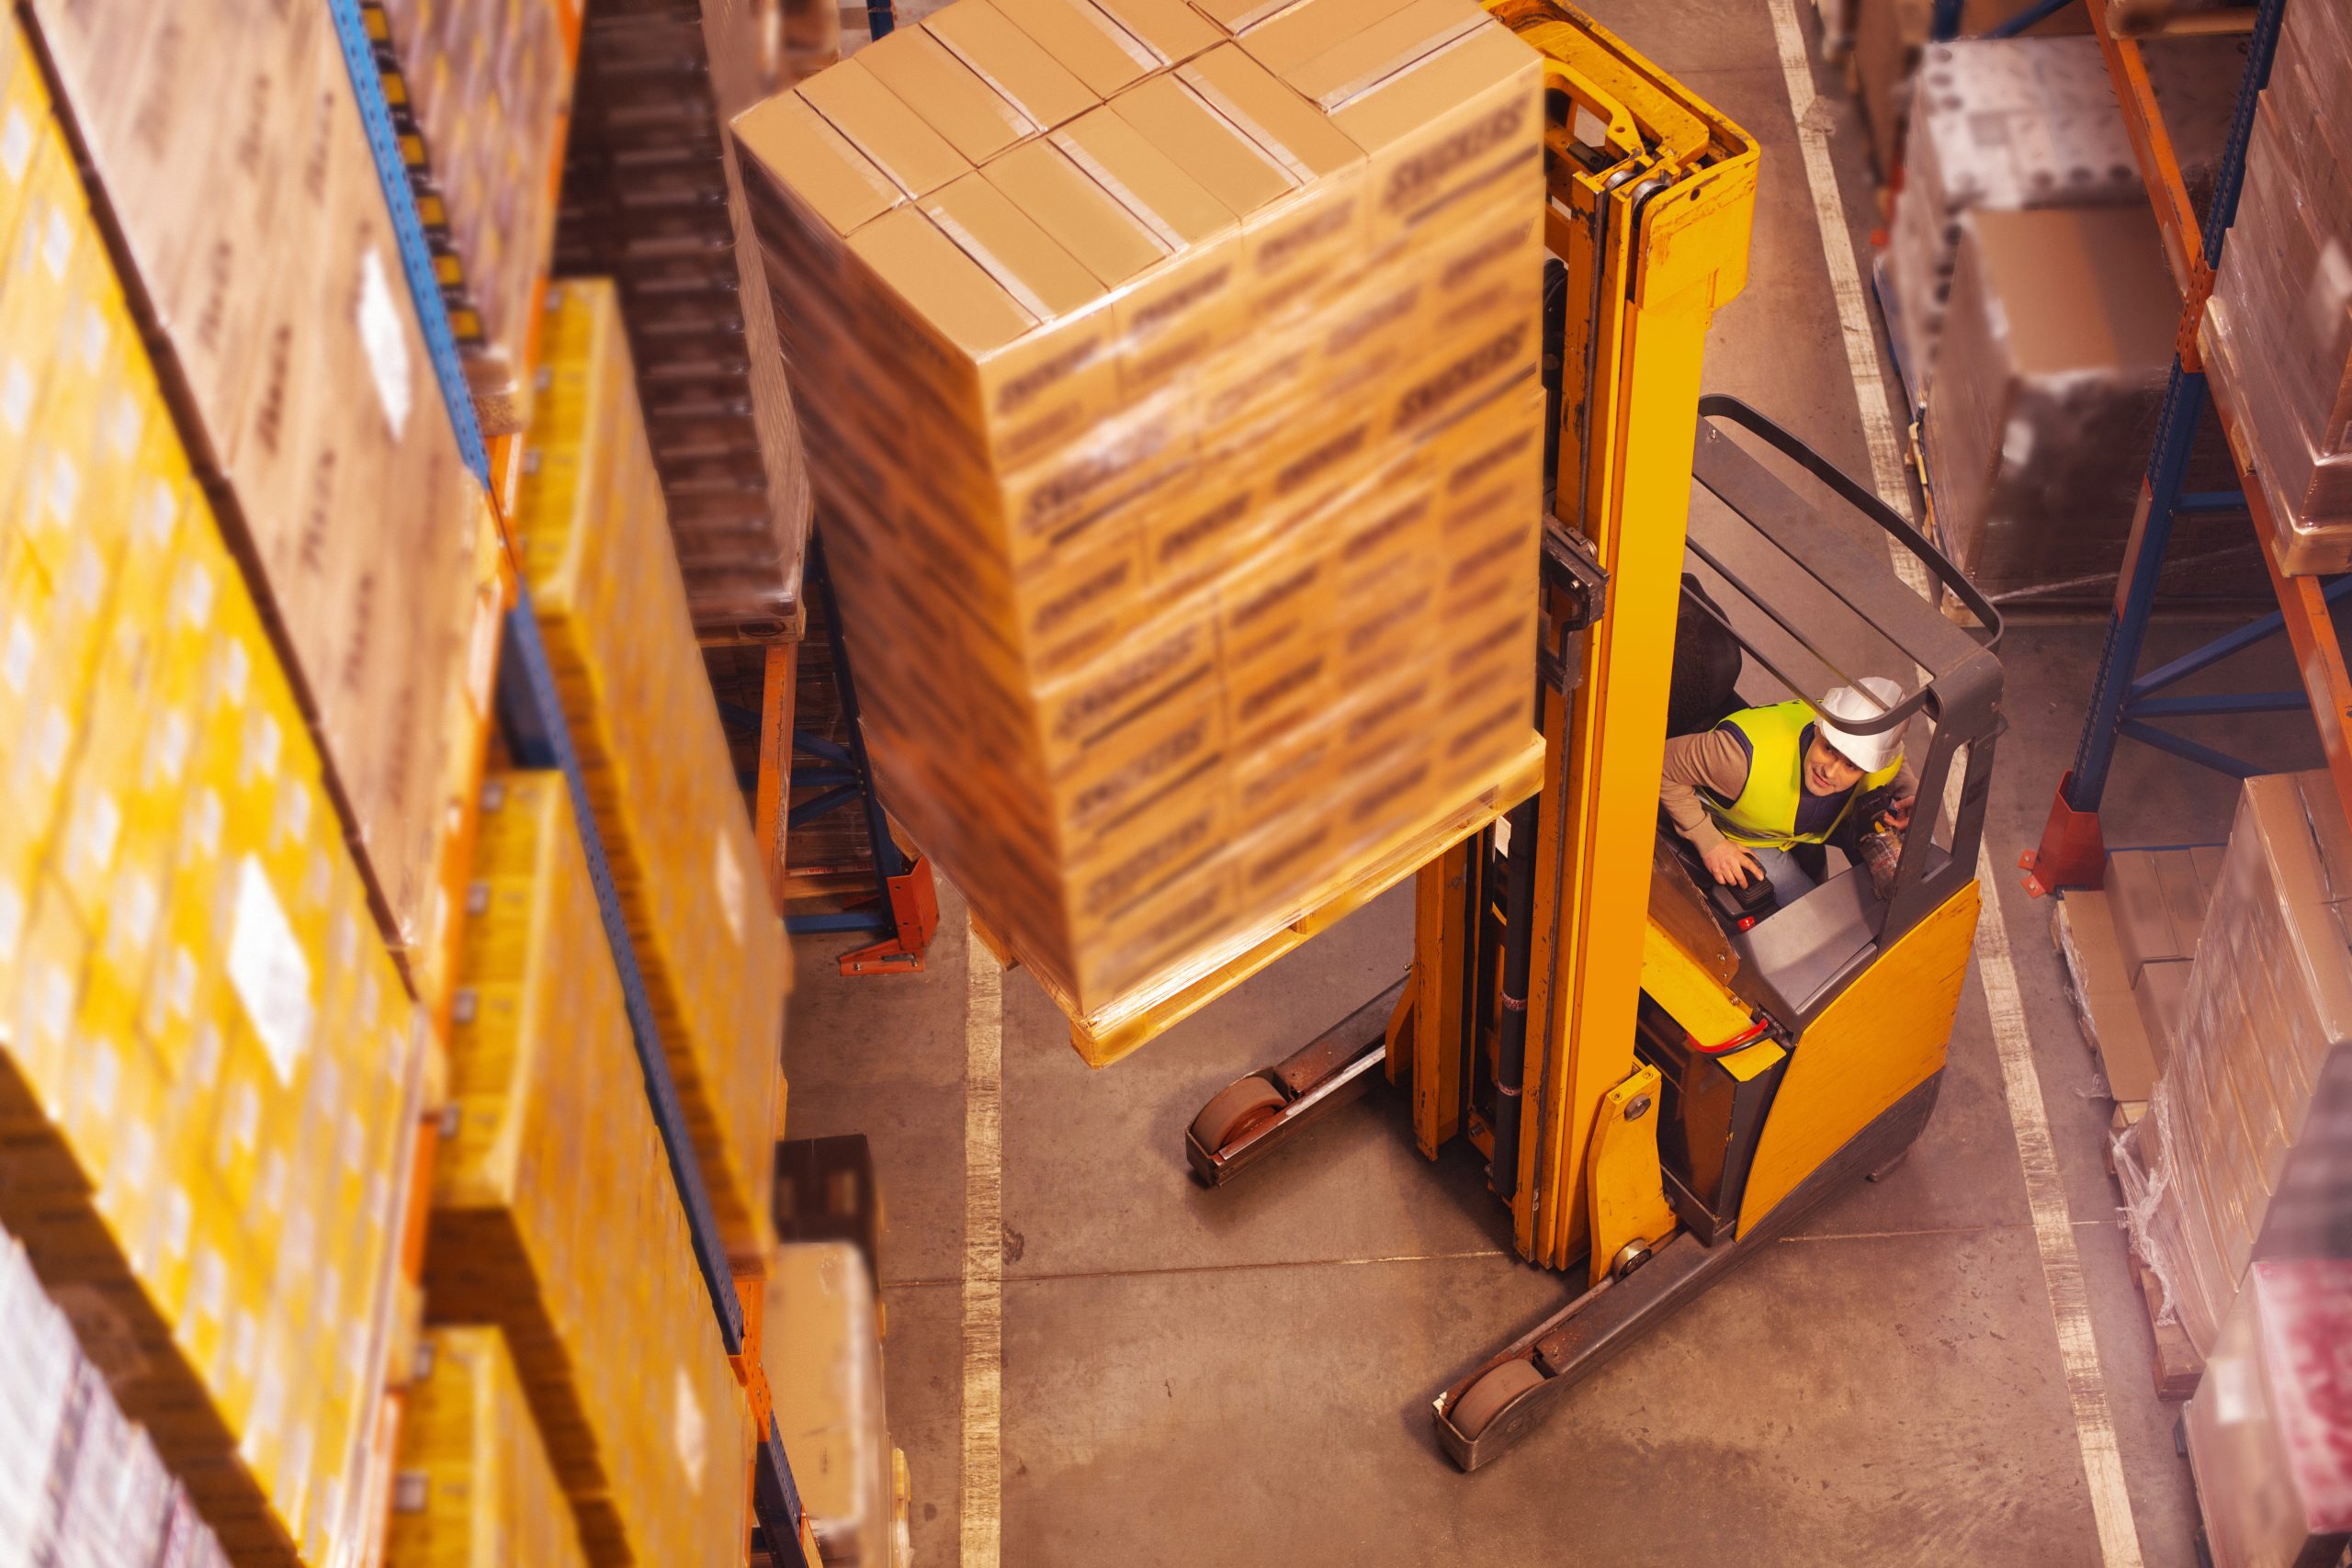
(1243, 1376)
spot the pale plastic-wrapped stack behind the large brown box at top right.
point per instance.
(2017, 123)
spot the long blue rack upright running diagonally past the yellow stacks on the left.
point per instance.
(533, 718)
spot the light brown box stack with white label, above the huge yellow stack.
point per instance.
(232, 149)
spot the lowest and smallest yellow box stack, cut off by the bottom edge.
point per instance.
(476, 1487)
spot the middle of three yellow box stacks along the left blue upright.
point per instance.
(556, 1217)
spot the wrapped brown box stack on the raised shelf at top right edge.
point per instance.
(2280, 323)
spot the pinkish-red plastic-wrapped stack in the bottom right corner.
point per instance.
(2271, 1426)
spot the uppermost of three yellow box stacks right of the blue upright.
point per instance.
(613, 610)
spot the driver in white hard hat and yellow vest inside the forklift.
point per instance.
(1763, 791)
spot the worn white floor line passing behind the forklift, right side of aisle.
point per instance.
(2045, 1193)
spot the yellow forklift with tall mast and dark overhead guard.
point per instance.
(1662, 1099)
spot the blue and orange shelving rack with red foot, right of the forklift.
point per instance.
(2123, 699)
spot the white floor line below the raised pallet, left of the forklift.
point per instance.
(984, 1254)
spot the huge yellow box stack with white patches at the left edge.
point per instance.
(211, 1068)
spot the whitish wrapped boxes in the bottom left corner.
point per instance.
(79, 1482)
